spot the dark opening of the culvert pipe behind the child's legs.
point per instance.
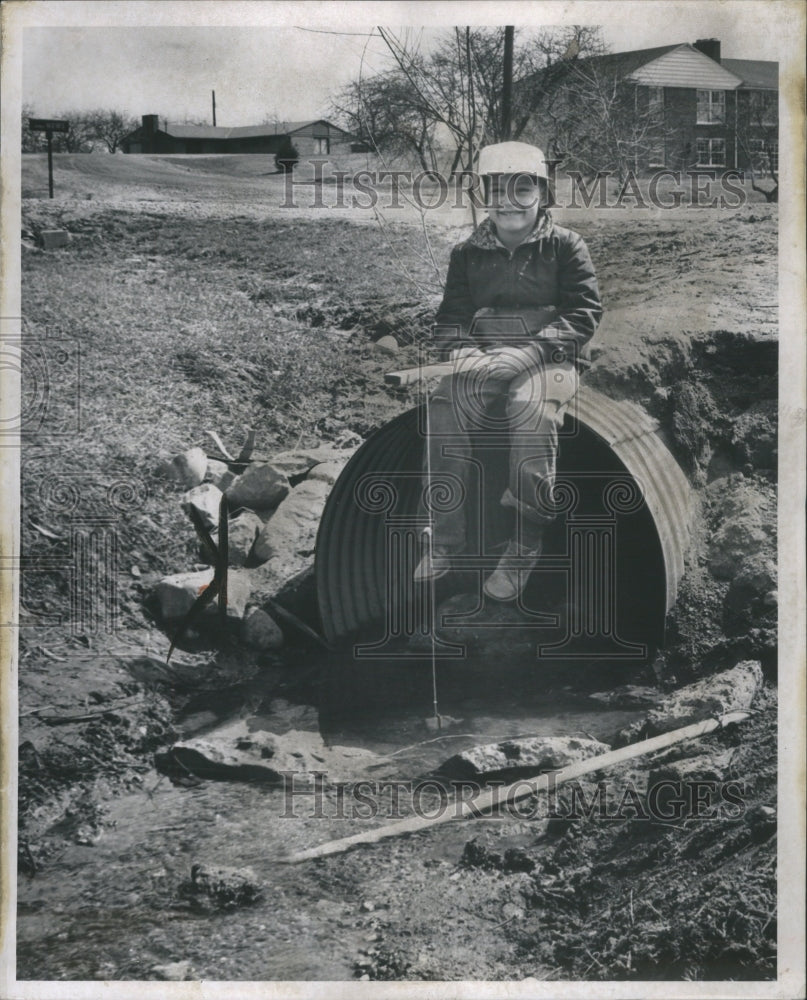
(609, 622)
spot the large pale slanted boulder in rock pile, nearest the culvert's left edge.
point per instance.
(291, 531)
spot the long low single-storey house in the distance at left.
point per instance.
(312, 138)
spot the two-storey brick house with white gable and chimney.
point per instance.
(684, 107)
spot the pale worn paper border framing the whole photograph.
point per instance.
(787, 18)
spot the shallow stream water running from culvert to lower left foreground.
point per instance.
(112, 910)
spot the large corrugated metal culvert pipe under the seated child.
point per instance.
(607, 577)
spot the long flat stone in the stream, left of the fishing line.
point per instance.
(237, 753)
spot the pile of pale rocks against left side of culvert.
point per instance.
(275, 505)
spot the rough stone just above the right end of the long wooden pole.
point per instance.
(731, 690)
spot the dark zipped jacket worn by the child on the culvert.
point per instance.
(543, 295)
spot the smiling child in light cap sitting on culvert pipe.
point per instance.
(520, 305)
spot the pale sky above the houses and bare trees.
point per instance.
(287, 61)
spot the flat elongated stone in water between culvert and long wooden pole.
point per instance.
(532, 754)
